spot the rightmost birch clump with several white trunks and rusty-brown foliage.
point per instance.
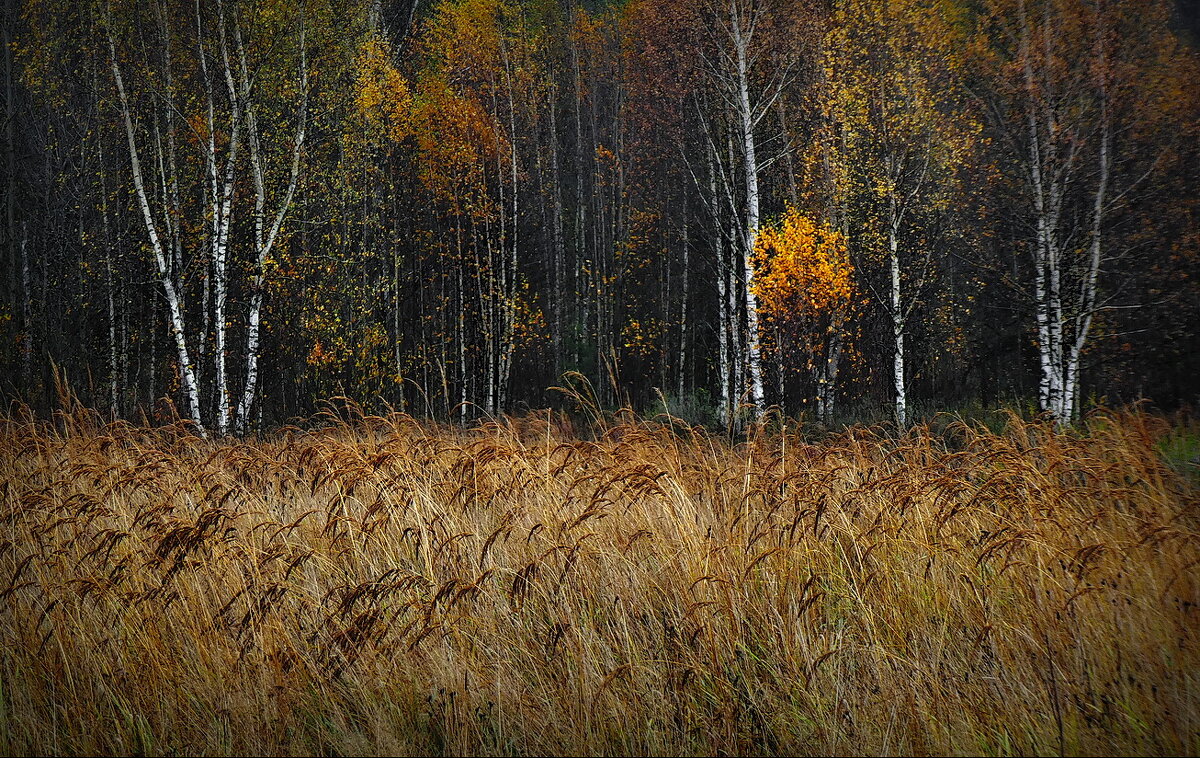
(1070, 82)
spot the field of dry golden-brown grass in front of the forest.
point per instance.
(387, 586)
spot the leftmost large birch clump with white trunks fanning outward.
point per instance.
(236, 82)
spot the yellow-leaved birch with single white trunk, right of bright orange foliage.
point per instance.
(895, 74)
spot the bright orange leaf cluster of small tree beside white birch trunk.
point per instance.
(802, 269)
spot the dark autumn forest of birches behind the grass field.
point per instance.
(848, 209)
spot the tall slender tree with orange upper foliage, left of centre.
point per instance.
(469, 101)
